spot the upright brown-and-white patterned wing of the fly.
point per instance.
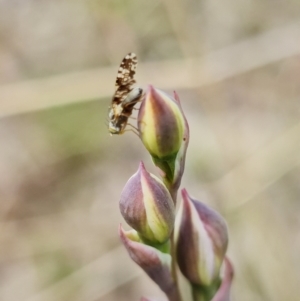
(125, 78)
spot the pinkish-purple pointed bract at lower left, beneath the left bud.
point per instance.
(156, 264)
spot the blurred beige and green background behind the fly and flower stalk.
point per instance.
(236, 68)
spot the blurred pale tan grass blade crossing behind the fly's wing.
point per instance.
(236, 59)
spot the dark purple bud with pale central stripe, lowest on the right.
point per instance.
(201, 240)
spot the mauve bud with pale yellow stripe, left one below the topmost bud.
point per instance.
(147, 207)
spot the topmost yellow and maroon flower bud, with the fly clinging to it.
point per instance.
(163, 129)
